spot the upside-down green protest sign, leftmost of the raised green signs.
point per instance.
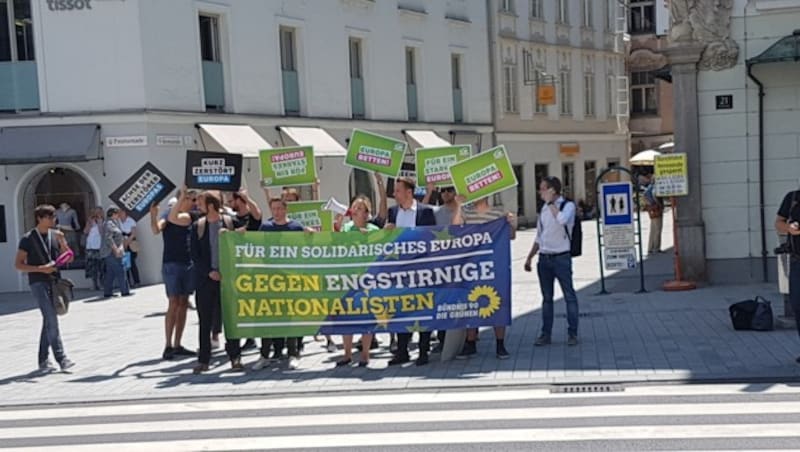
(281, 167)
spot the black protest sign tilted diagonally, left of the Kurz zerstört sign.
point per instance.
(146, 187)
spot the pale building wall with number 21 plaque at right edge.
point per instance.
(745, 168)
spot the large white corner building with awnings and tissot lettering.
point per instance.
(89, 94)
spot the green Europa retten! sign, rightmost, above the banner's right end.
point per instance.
(483, 175)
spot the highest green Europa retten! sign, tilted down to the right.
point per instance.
(375, 153)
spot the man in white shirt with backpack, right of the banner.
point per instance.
(553, 231)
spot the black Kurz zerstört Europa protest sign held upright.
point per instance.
(213, 170)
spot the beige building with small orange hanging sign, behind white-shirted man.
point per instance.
(570, 48)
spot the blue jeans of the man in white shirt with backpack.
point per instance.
(550, 268)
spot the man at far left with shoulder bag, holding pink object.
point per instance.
(36, 255)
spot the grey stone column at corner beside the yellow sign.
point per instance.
(684, 59)
